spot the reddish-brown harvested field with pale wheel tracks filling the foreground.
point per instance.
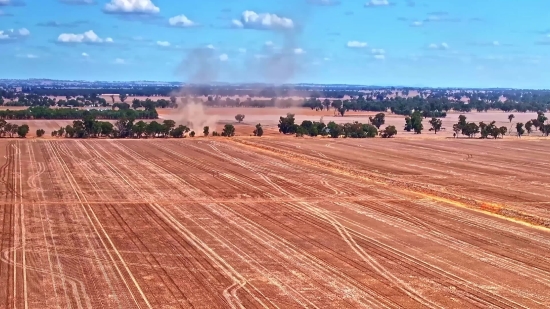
(274, 222)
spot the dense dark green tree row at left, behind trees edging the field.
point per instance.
(40, 112)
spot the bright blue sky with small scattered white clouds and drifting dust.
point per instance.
(429, 43)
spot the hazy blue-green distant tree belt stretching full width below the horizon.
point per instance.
(433, 103)
